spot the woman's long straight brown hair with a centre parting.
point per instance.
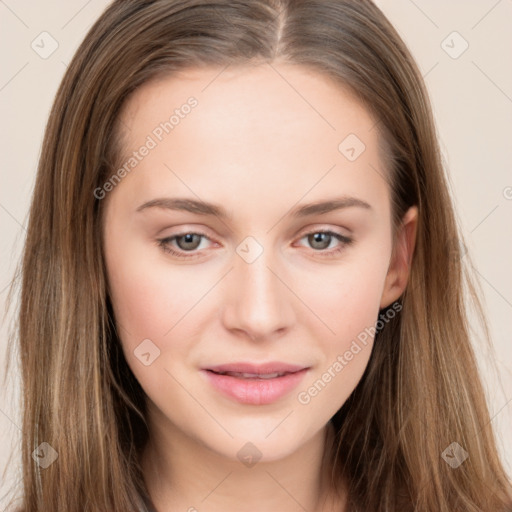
(421, 390)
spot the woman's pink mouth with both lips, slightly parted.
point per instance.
(252, 384)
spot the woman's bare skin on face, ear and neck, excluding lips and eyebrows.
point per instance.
(261, 141)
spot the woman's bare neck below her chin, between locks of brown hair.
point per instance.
(182, 474)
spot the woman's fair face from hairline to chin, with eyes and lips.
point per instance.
(215, 253)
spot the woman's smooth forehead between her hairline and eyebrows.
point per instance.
(251, 127)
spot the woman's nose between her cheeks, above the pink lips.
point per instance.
(258, 301)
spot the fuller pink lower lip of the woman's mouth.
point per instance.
(255, 391)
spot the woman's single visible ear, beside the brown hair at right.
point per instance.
(401, 257)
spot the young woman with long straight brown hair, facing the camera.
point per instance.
(312, 351)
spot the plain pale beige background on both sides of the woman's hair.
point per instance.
(472, 100)
